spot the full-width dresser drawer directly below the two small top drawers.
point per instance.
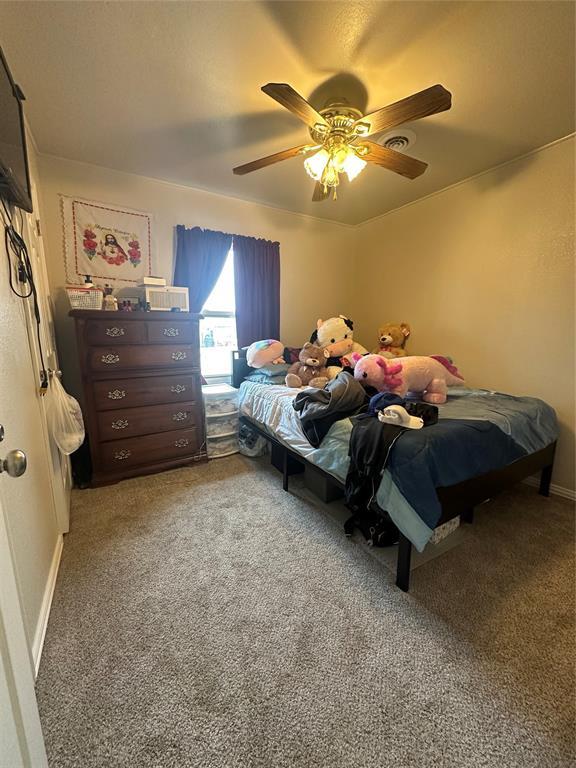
(154, 356)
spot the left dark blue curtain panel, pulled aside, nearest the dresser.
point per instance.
(200, 256)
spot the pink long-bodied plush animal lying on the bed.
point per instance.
(428, 375)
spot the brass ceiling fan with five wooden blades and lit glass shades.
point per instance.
(339, 134)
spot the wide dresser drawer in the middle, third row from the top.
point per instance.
(146, 390)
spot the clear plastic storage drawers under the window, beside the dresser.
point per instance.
(221, 409)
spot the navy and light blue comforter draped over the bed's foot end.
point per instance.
(478, 431)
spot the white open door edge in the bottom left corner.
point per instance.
(21, 741)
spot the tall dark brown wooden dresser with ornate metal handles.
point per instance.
(142, 391)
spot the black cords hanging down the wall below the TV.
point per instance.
(16, 250)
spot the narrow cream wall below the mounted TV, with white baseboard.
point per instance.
(29, 507)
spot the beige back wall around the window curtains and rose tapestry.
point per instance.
(316, 262)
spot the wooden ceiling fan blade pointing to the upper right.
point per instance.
(422, 104)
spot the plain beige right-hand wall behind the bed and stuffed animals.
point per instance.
(484, 271)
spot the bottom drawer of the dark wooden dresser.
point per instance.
(150, 449)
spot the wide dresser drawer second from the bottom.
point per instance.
(129, 422)
